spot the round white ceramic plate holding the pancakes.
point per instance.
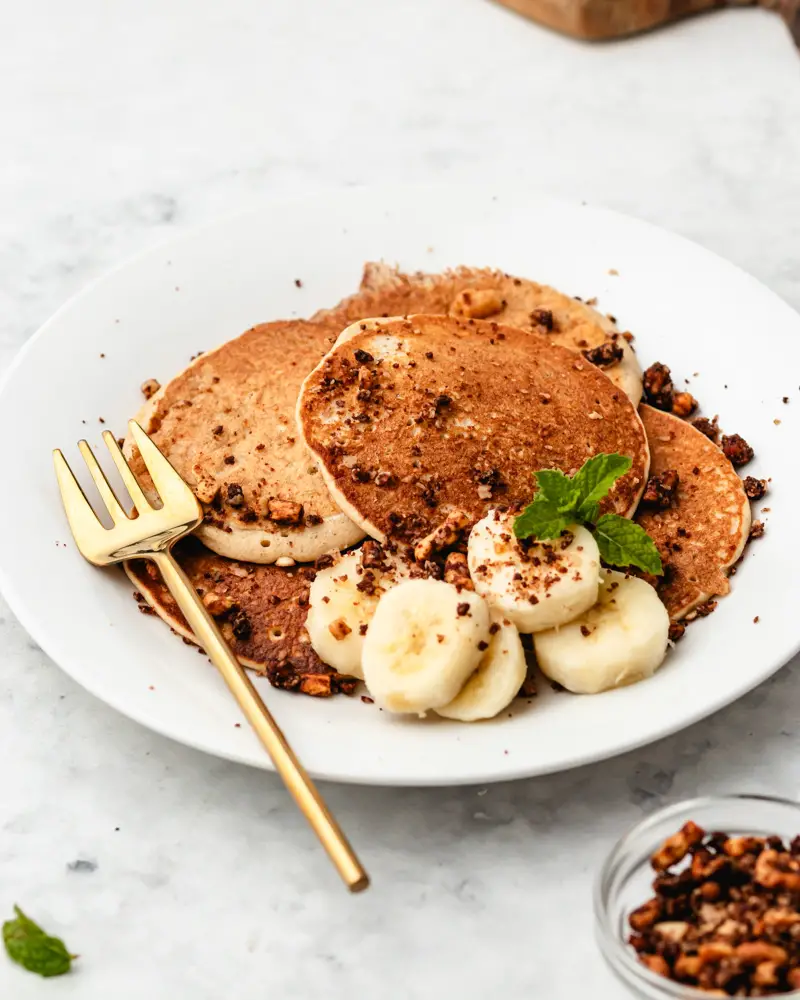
(687, 307)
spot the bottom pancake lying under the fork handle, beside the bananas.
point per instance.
(260, 609)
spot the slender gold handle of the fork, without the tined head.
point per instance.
(258, 715)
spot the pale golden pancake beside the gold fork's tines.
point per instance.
(227, 425)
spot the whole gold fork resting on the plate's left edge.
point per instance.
(150, 535)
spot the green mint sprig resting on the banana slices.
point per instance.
(562, 500)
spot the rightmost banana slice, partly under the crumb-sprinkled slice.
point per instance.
(621, 640)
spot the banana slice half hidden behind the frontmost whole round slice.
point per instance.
(497, 681)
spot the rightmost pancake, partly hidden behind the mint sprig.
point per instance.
(702, 533)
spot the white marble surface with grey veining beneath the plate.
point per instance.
(124, 122)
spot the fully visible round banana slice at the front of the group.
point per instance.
(425, 640)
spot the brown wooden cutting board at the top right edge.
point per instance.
(595, 19)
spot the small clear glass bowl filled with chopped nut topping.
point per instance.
(703, 899)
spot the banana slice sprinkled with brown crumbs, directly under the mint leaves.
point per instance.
(536, 586)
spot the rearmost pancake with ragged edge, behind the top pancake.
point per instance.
(481, 293)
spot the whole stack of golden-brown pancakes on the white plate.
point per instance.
(419, 395)
